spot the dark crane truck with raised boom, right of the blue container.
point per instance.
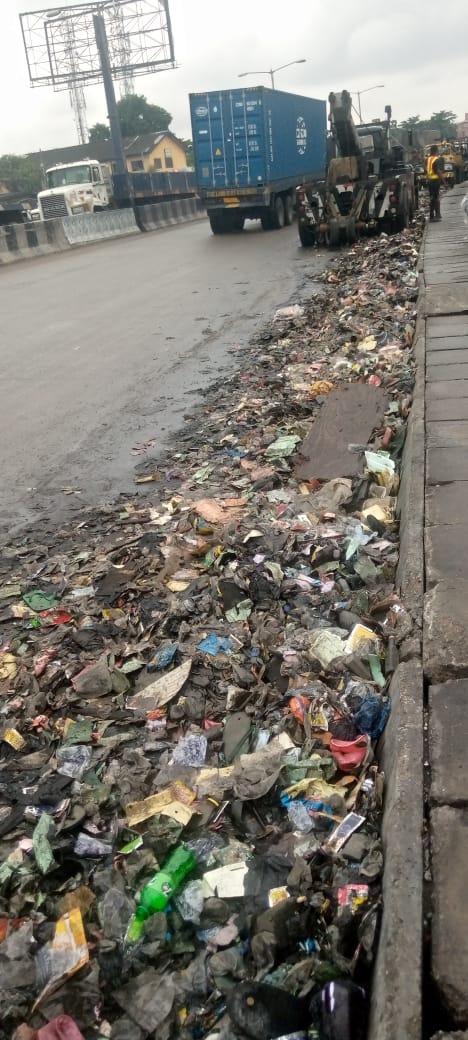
(368, 187)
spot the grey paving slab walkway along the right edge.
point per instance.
(446, 275)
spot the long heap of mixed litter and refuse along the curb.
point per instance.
(193, 690)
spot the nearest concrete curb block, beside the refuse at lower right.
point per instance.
(397, 1005)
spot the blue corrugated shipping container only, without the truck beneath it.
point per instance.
(257, 137)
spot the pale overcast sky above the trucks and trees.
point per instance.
(417, 49)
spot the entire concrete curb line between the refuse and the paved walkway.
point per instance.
(397, 1005)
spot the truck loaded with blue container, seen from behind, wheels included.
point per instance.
(252, 149)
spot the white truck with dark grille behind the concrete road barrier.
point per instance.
(75, 188)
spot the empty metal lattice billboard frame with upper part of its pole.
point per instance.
(63, 50)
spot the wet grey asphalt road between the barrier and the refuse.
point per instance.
(102, 350)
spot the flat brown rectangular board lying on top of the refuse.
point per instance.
(349, 417)
